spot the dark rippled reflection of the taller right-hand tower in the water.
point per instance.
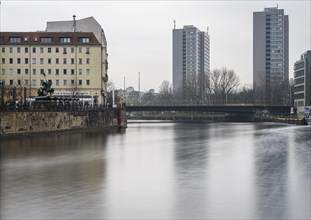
(271, 173)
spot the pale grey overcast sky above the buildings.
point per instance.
(139, 33)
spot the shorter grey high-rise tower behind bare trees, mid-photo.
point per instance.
(191, 57)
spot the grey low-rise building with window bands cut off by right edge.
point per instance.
(302, 83)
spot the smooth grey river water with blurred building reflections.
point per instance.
(160, 170)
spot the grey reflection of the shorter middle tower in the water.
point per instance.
(190, 160)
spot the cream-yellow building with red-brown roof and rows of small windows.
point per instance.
(71, 60)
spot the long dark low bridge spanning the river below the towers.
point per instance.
(237, 109)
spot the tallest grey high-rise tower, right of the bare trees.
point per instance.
(270, 57)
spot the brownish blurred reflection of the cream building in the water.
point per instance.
(53, 176)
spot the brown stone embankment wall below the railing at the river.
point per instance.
(32, 122)
